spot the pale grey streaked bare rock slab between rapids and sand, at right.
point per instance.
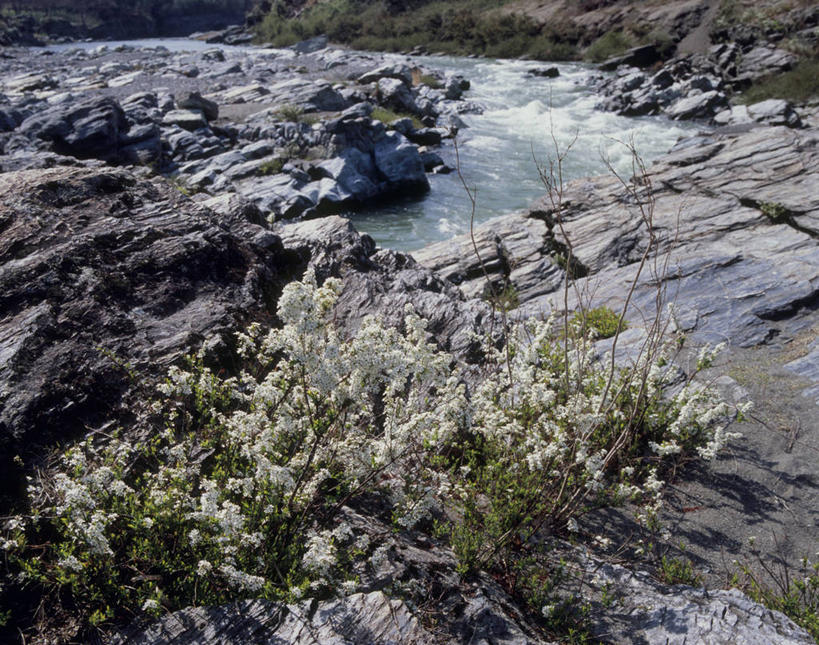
(736, 212)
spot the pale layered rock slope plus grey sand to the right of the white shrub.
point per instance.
(734, 218)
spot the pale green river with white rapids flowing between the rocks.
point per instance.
(524, 118)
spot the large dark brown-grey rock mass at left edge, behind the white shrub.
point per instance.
(108, 268)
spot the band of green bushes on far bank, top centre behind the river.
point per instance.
(457, 27)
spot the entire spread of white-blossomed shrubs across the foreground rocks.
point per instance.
(237, 495)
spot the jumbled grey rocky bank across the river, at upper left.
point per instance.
(289, 129)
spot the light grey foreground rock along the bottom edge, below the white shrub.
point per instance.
(638, 610)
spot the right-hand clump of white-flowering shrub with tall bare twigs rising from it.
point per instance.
(557, 431)
